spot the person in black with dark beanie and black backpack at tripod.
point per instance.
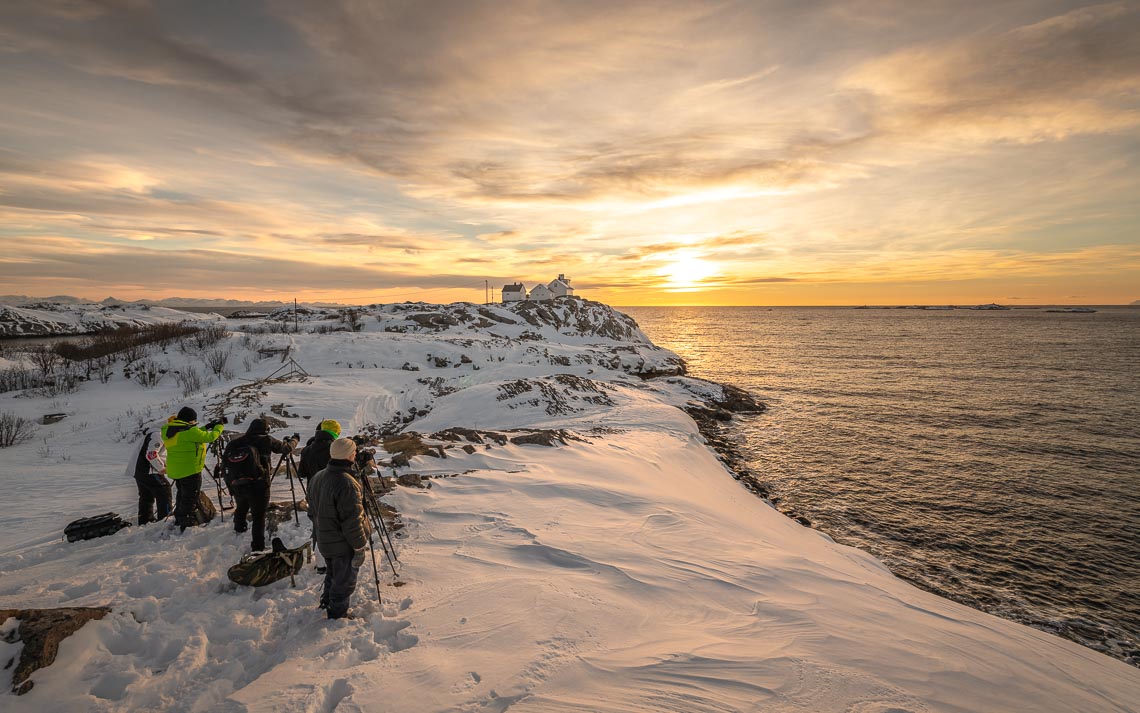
(249, 476)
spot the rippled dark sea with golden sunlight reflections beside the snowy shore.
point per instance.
(992, 458)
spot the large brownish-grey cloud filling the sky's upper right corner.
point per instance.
(1069, 75)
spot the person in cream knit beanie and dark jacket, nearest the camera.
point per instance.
(341, 529)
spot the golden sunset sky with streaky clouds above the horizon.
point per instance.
(785, 152)
